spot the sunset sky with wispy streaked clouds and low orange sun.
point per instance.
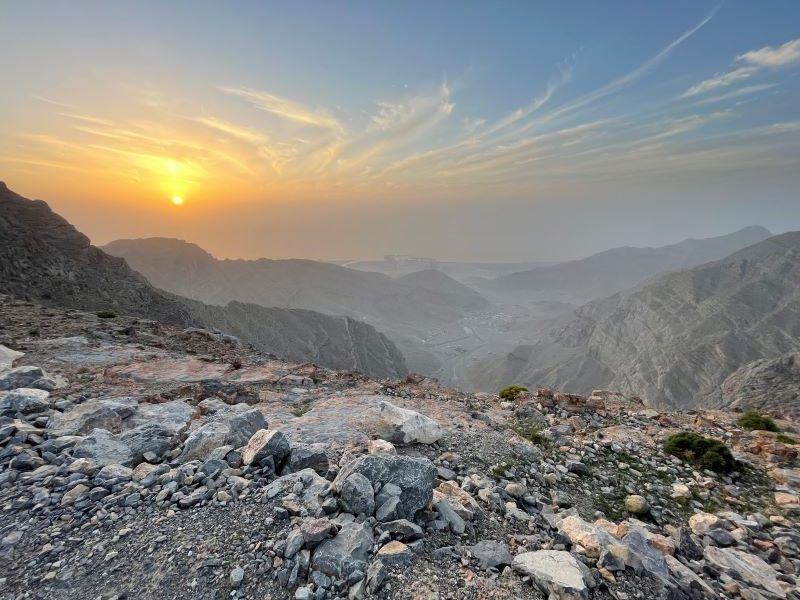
(513, 131)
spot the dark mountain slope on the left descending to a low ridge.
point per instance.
(44, 258)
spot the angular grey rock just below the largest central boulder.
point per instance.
(343, 555)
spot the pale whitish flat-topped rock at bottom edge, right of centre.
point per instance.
(556, 573)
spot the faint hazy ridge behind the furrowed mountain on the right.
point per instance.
(618, 269)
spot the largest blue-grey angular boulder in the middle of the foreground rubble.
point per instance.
(414, 476)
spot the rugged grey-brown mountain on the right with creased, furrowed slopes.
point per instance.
(676, 339)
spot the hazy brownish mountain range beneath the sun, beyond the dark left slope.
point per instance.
(188, 270)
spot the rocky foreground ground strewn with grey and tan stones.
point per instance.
(139, 460)
